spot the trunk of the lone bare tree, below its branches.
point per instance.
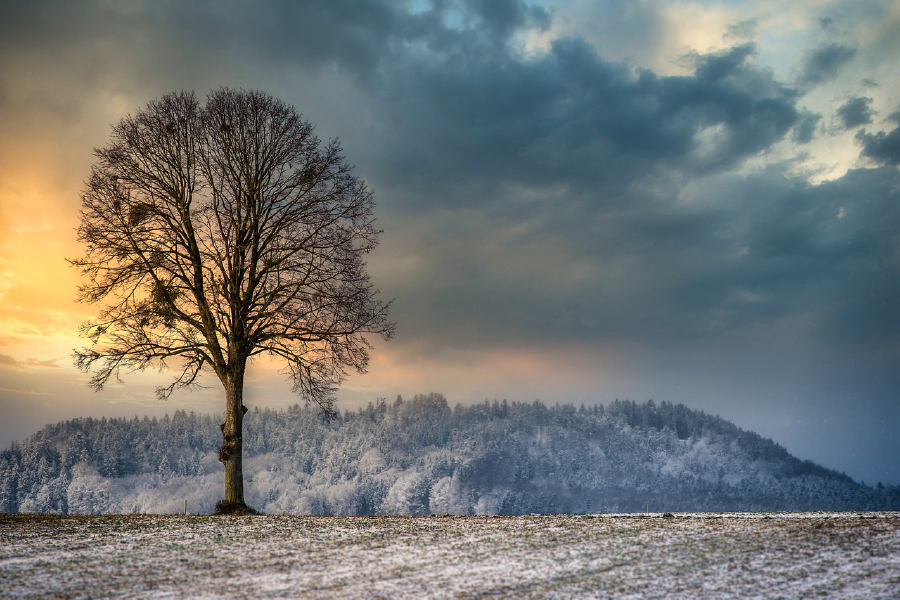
(231, 451)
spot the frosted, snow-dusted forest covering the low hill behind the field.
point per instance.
(421, 456)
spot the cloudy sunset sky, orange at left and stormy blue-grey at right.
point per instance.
(581, 200)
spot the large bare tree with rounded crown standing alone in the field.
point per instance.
(221, 232)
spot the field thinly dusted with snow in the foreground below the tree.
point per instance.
(688, 555)
